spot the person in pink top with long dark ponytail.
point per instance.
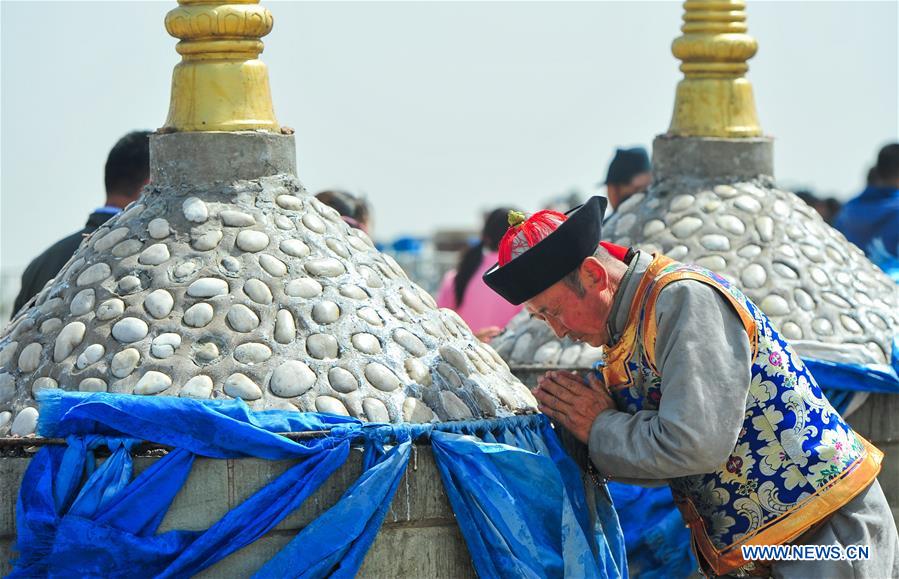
(464, 290)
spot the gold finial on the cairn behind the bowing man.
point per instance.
(714, 99)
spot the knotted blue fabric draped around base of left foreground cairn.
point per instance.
(518, 498)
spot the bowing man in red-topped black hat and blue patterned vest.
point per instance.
(698, 391)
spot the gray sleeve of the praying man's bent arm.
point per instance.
(703, 354)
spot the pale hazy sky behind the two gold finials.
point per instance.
(436, 111)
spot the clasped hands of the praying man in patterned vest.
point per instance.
(565, 398)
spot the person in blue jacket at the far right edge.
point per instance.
(871, 220)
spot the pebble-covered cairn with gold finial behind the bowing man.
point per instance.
(714, 203)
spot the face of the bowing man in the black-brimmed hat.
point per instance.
(581, 317)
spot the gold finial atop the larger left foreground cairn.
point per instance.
(220, 84)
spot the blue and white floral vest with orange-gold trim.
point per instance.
(795, 462)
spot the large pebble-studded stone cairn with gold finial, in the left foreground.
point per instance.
(226, 279)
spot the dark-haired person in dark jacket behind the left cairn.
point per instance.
(127, 172)
